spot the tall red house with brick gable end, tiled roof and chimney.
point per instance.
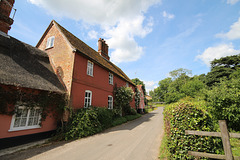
(89, 76)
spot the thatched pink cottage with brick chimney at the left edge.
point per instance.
(25, 75)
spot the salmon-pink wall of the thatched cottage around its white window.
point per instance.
(49, 124)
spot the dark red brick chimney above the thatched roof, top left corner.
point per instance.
(5, 10)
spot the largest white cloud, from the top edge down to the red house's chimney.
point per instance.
(121, 21)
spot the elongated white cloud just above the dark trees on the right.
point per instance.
(217, 52)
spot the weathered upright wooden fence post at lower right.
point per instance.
(226, 140)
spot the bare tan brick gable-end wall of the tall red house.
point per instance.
(60, 55)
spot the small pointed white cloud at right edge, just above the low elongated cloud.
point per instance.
(234, 32)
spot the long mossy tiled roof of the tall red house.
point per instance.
(84, 50)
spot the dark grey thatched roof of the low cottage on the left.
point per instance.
(26, 66)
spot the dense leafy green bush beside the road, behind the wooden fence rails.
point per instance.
(183, 116)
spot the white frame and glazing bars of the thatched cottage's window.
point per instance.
(26, 126)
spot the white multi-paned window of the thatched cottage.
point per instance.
(26, 118)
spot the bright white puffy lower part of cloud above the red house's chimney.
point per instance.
(121, 38)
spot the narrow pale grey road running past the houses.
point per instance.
(136, 140)
